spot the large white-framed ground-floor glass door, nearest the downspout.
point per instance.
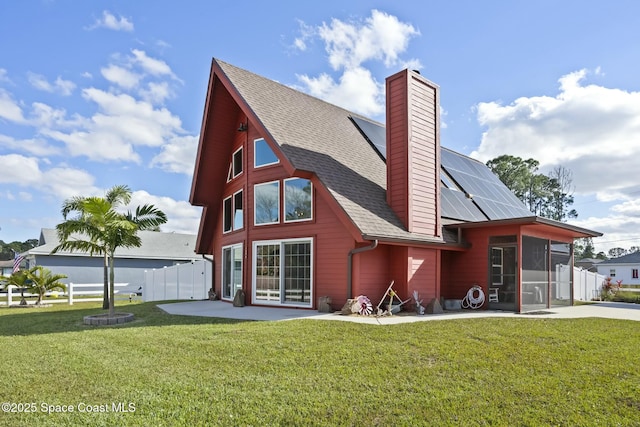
(283, 271)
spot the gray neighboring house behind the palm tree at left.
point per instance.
(158, 250)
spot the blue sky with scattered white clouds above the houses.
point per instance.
(96, 94)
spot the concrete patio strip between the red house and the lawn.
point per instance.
(611, 310)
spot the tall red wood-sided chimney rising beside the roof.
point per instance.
(413, 151)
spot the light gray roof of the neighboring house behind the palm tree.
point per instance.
(155, 245)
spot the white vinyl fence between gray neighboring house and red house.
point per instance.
(190, 281)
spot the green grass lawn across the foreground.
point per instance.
(191, 371)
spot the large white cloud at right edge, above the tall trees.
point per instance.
(592, 130)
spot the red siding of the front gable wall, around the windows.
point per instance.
(332, 242)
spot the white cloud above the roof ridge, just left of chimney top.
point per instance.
(380, 37)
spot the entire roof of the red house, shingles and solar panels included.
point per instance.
(346, 152)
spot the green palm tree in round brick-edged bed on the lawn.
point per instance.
(98, 228)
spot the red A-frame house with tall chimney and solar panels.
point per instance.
(303, 199)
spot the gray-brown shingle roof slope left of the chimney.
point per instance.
(319, 137)
